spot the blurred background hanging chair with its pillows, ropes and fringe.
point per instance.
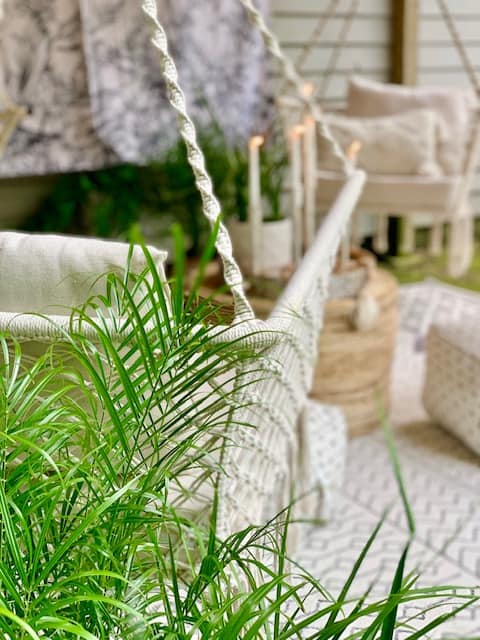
(456, 144)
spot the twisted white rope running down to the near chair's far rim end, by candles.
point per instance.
(291, 75)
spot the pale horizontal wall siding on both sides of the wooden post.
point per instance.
(368, 50)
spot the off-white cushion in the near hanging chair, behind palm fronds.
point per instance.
(51, 274)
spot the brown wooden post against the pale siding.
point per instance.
(404, 49)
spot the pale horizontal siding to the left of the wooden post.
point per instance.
(367, 52)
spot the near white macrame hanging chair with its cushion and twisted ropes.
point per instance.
(259, 467)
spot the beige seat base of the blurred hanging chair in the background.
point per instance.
(392, 194)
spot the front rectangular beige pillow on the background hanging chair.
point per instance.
(404, 143)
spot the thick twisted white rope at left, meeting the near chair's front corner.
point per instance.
(211, 206)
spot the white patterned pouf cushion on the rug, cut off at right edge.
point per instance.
(452, 380)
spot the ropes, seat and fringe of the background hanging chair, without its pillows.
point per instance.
(444, 197)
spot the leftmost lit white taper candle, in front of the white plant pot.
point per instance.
(255, 214)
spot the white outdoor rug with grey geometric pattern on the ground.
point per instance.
(442, 478)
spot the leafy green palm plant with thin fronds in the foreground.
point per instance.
(104, 442)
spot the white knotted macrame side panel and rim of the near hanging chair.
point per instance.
(262, 469)
